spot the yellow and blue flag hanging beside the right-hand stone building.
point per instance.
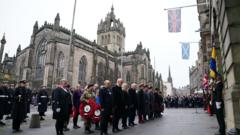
(213, 67)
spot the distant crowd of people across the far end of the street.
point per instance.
(191, 101)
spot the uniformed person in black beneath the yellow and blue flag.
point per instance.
(219, 111)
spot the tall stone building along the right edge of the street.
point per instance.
(223, 31)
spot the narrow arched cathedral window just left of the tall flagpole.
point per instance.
(60, 65)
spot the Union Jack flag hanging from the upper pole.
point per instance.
(174, 20)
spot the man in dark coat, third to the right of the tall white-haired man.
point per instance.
(141, 103)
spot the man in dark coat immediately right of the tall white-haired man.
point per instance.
(125, 112)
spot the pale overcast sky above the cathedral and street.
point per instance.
(144, 20)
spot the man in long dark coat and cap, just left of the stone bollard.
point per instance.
(19, 106)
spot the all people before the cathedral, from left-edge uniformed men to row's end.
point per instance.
(98, 105)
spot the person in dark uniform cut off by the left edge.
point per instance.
(3, 103)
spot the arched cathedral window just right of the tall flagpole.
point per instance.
(82, 69)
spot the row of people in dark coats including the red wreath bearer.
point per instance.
(105, 105)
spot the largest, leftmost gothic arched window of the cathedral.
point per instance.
(41, 56)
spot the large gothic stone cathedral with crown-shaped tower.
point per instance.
(50, 57)
